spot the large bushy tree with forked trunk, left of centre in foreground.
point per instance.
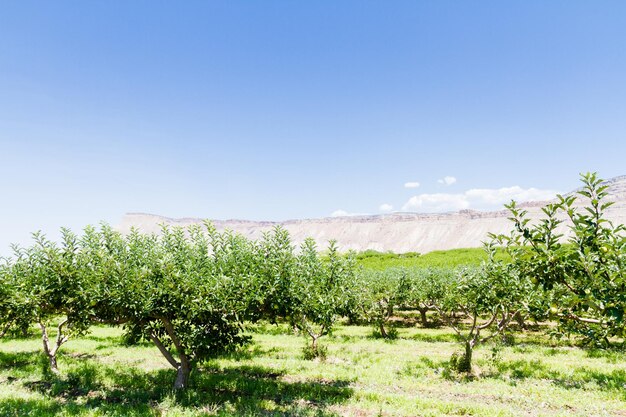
(184, 294)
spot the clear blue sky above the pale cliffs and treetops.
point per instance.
(280, 109)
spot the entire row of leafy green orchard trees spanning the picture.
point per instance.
(191, 291)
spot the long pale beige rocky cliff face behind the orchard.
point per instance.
(397, 232)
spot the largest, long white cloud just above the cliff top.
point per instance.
(477, 198)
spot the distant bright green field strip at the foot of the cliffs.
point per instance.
(437, 259)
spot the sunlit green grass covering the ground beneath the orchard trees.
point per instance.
(361, 376)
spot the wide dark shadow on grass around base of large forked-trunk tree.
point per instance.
(236, 390)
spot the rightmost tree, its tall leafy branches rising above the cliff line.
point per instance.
(584, 275)
